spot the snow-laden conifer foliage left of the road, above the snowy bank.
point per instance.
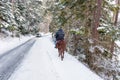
(20, 16)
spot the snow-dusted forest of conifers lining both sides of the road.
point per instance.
(91, 27)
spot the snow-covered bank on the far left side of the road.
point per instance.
(10, 43)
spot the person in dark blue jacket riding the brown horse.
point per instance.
(59, 35)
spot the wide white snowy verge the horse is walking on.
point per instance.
(43, 63)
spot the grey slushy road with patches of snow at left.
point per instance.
(10, 60)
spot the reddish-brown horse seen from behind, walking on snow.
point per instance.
(61, 45)
